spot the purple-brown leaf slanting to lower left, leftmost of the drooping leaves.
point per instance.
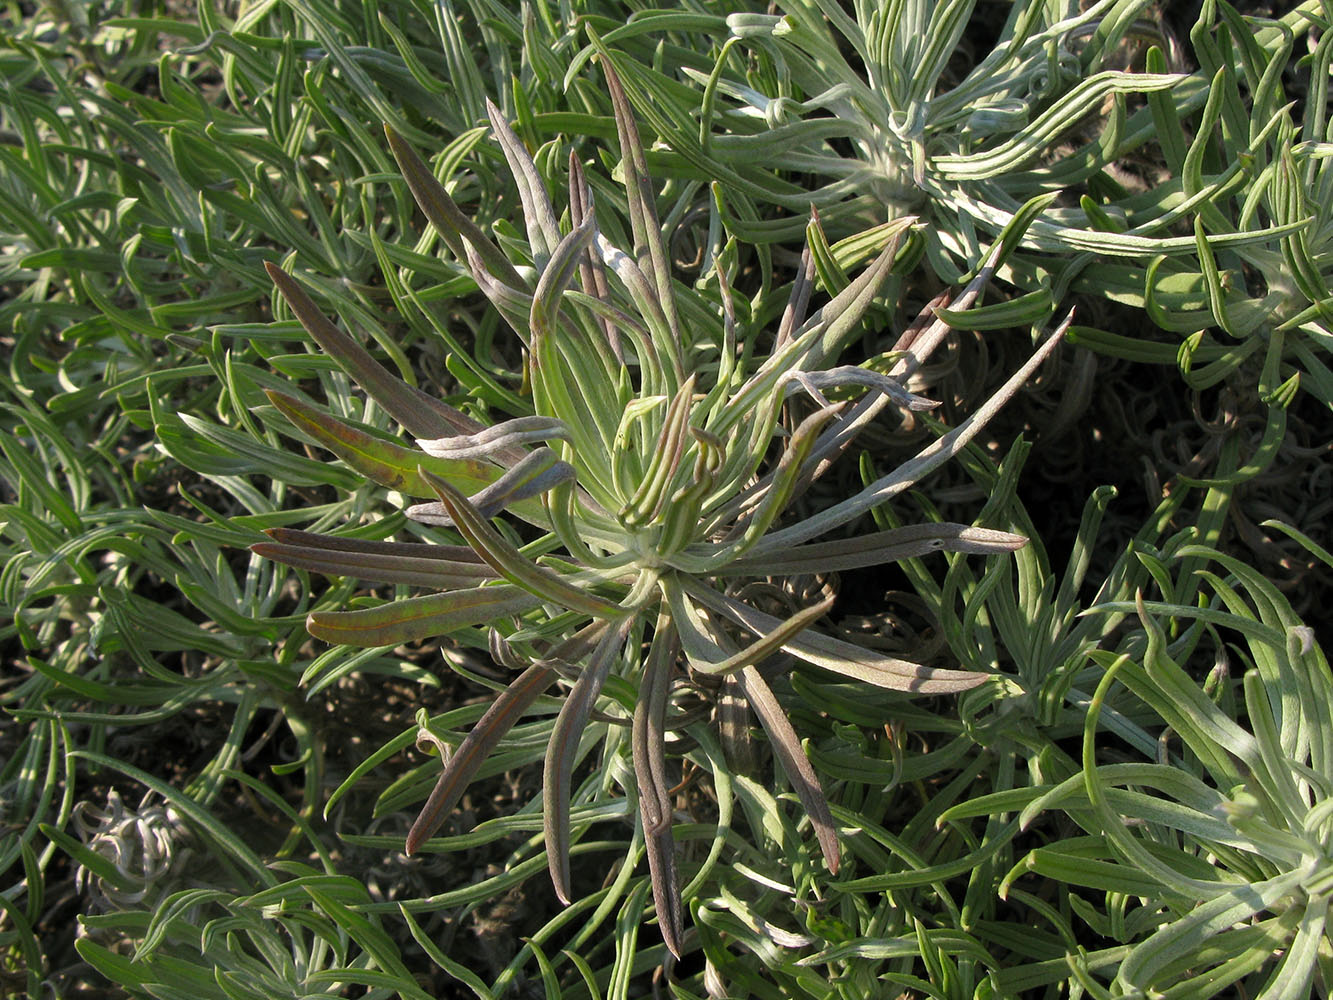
(505, 713)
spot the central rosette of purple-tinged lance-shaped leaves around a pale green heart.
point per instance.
(658, 469)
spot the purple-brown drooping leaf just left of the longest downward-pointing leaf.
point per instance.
(563, 751)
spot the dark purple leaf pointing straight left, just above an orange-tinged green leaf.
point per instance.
(385, 562)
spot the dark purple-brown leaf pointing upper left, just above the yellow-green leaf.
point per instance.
(419, 413)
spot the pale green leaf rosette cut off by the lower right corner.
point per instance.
(1226, 819)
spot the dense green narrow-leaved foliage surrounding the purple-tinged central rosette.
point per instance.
(199, 799)
